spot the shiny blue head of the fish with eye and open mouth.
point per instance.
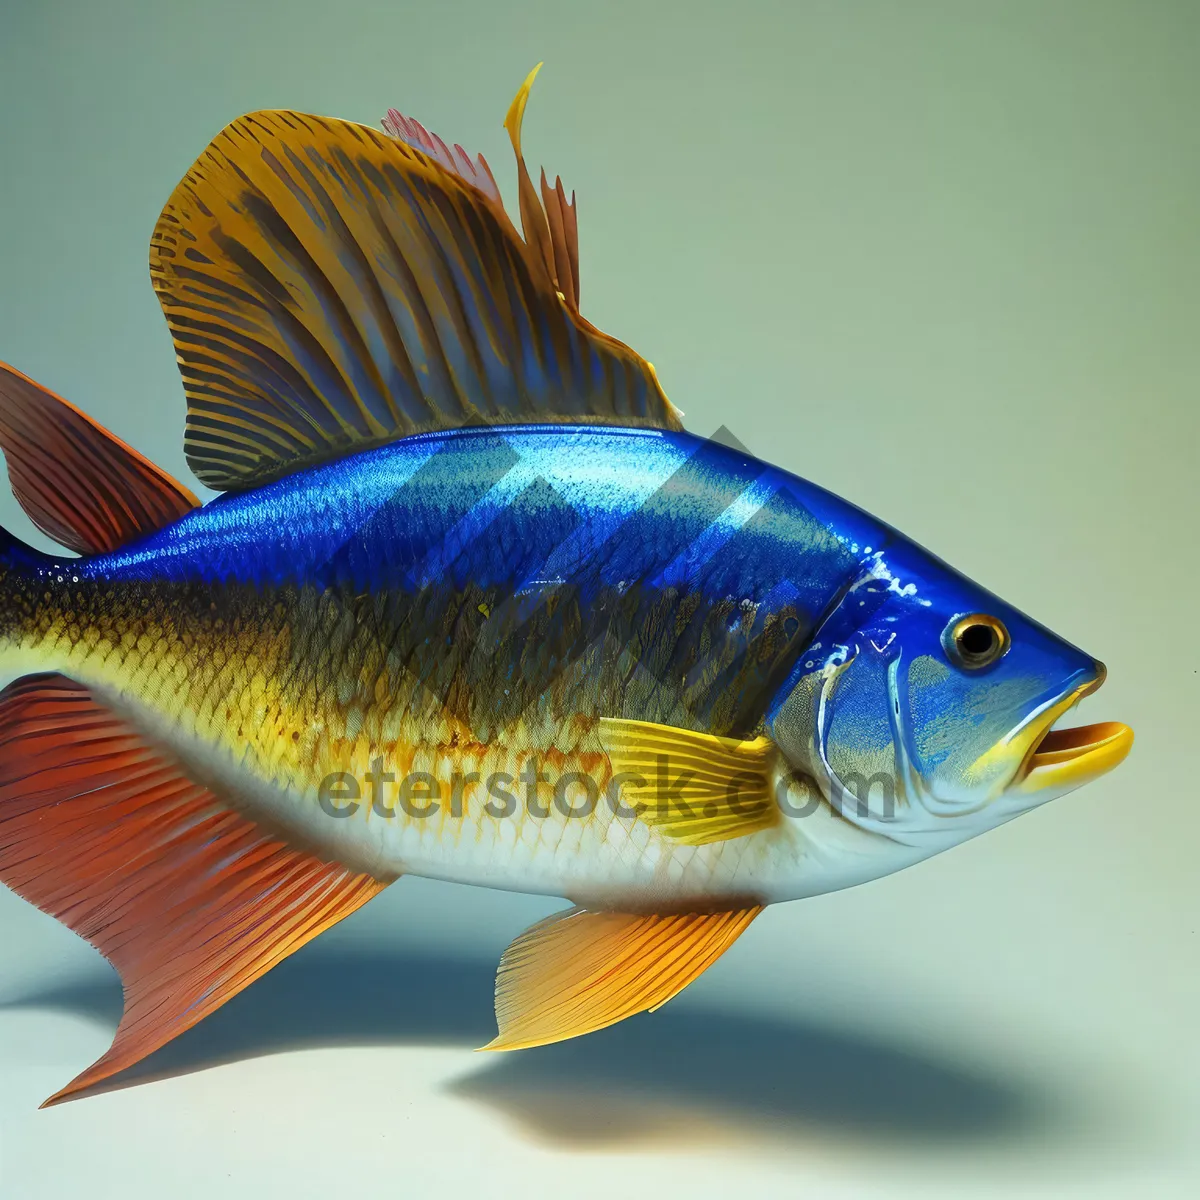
(931, 711)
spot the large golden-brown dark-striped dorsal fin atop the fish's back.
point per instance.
(332, 289)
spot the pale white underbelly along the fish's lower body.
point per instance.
(573, 848)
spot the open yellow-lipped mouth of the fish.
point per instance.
(1066, 759)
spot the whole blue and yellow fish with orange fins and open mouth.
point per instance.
(472, 605)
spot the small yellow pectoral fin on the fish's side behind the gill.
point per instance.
(693, 788)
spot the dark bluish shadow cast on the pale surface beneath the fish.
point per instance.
(683, 1073)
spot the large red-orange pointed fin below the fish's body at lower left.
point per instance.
(190, 901)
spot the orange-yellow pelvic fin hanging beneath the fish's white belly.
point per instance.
(581, 971)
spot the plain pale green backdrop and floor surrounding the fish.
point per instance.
(941, 257)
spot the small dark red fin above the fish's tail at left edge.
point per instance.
(80, 484)
